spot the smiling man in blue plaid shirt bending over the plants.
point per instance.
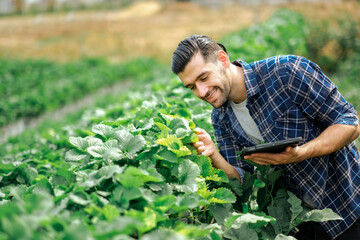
(274, 99)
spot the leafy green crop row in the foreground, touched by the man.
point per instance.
(136, 177)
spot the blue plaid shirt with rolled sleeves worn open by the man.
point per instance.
(289, 96)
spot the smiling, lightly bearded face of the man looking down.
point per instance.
(208, 80)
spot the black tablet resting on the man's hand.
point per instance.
(272, 147)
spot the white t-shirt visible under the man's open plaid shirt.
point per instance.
(246, 121)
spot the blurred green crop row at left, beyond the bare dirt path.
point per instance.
(32, 87)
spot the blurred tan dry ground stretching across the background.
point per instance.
(142, 29)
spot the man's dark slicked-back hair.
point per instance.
(191, 45)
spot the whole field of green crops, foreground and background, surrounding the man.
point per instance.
(125, 168)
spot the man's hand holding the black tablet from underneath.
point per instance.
(290, 155)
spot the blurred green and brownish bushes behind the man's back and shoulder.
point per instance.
(327, 42)
